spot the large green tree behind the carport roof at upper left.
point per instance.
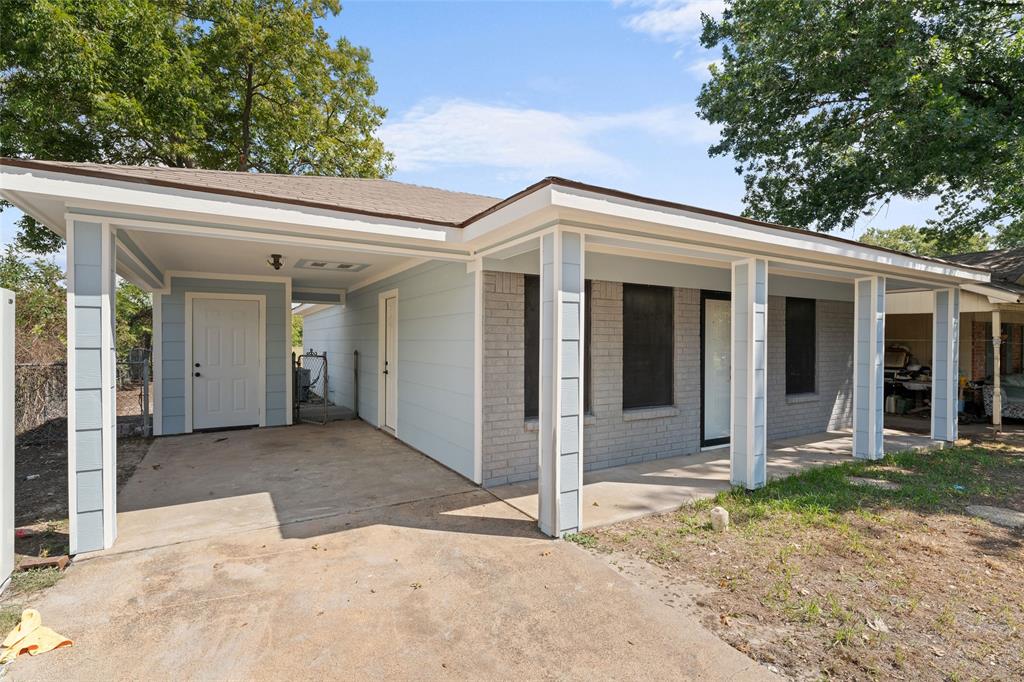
(224, 84)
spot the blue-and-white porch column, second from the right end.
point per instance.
(869, 365)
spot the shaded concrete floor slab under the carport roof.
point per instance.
(307, 480)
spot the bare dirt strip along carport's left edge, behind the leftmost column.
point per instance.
(41, 494)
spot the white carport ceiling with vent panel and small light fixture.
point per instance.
(199, 254)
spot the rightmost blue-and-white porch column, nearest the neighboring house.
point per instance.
(946, 364)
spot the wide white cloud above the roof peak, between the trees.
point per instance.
(460, 133)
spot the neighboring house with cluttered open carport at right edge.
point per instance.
(985, 308)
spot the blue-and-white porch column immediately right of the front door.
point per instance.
(749, 459)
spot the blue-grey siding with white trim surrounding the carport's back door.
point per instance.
(175, 373)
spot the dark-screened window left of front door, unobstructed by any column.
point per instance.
(648, 347)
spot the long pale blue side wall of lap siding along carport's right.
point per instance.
(436, 358)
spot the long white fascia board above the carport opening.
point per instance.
(103, 194)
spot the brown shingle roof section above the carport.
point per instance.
(365, 196)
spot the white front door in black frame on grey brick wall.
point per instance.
(717, 353)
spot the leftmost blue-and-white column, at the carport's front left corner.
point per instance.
(92, 396)
